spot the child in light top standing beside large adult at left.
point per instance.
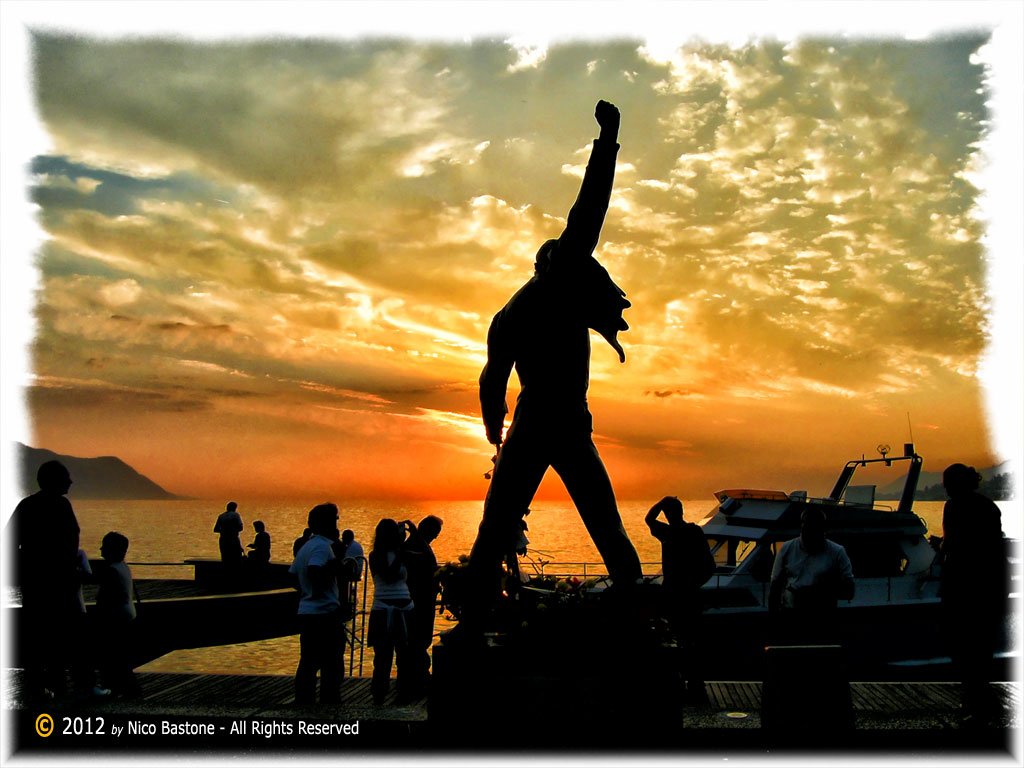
(116, 616)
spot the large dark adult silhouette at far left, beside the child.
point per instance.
(47, 561)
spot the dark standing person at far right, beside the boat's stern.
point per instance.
(973, 586)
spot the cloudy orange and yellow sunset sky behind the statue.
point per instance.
(266, 264)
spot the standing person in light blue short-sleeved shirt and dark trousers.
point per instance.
(322, 630)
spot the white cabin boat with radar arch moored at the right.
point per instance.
(892, 627)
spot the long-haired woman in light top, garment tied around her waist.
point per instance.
(392, 609)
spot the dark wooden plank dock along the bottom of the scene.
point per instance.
(918, 718)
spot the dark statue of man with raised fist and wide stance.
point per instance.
(543, 333)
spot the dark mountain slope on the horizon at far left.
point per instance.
(102, 478)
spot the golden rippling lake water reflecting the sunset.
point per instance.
(164, 534)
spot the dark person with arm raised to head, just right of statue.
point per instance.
(687, 566)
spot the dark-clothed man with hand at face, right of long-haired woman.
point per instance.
(423, 585)
